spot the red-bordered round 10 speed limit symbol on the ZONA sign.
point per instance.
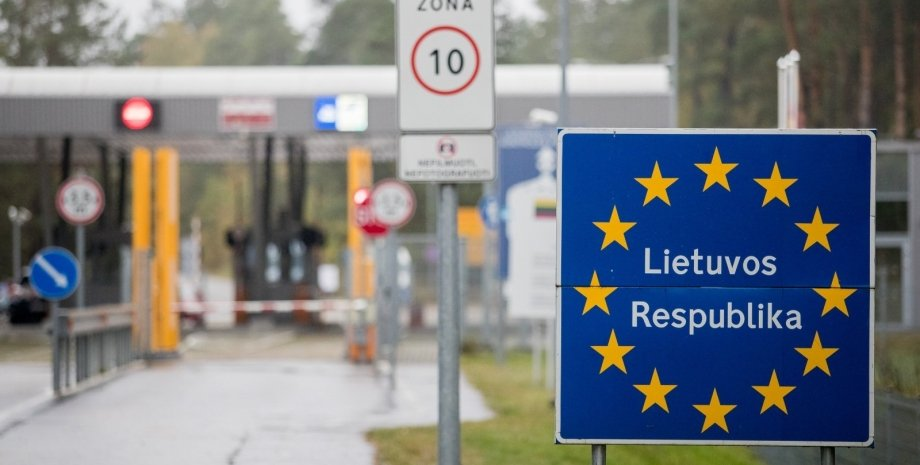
(452, 60)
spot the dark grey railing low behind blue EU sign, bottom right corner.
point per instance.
(897, 438)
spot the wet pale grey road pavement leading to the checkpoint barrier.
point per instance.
(231, 412)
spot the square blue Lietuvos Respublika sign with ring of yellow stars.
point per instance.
(716, 287)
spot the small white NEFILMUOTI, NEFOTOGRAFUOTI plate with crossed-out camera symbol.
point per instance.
(447, 158)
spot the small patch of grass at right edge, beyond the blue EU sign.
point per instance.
(897, 363)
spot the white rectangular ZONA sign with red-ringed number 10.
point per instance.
(446, 65)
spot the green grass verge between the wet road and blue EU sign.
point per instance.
(522, 430)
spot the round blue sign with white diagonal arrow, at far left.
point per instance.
(54, 273)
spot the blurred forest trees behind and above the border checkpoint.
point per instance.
(860, 68)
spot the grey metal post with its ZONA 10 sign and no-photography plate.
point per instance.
(446, 86)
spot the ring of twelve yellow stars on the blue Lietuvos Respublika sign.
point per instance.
(773, 392)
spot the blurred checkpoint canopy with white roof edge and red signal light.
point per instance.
(58, 120)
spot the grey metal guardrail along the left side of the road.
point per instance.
(89, 344)
